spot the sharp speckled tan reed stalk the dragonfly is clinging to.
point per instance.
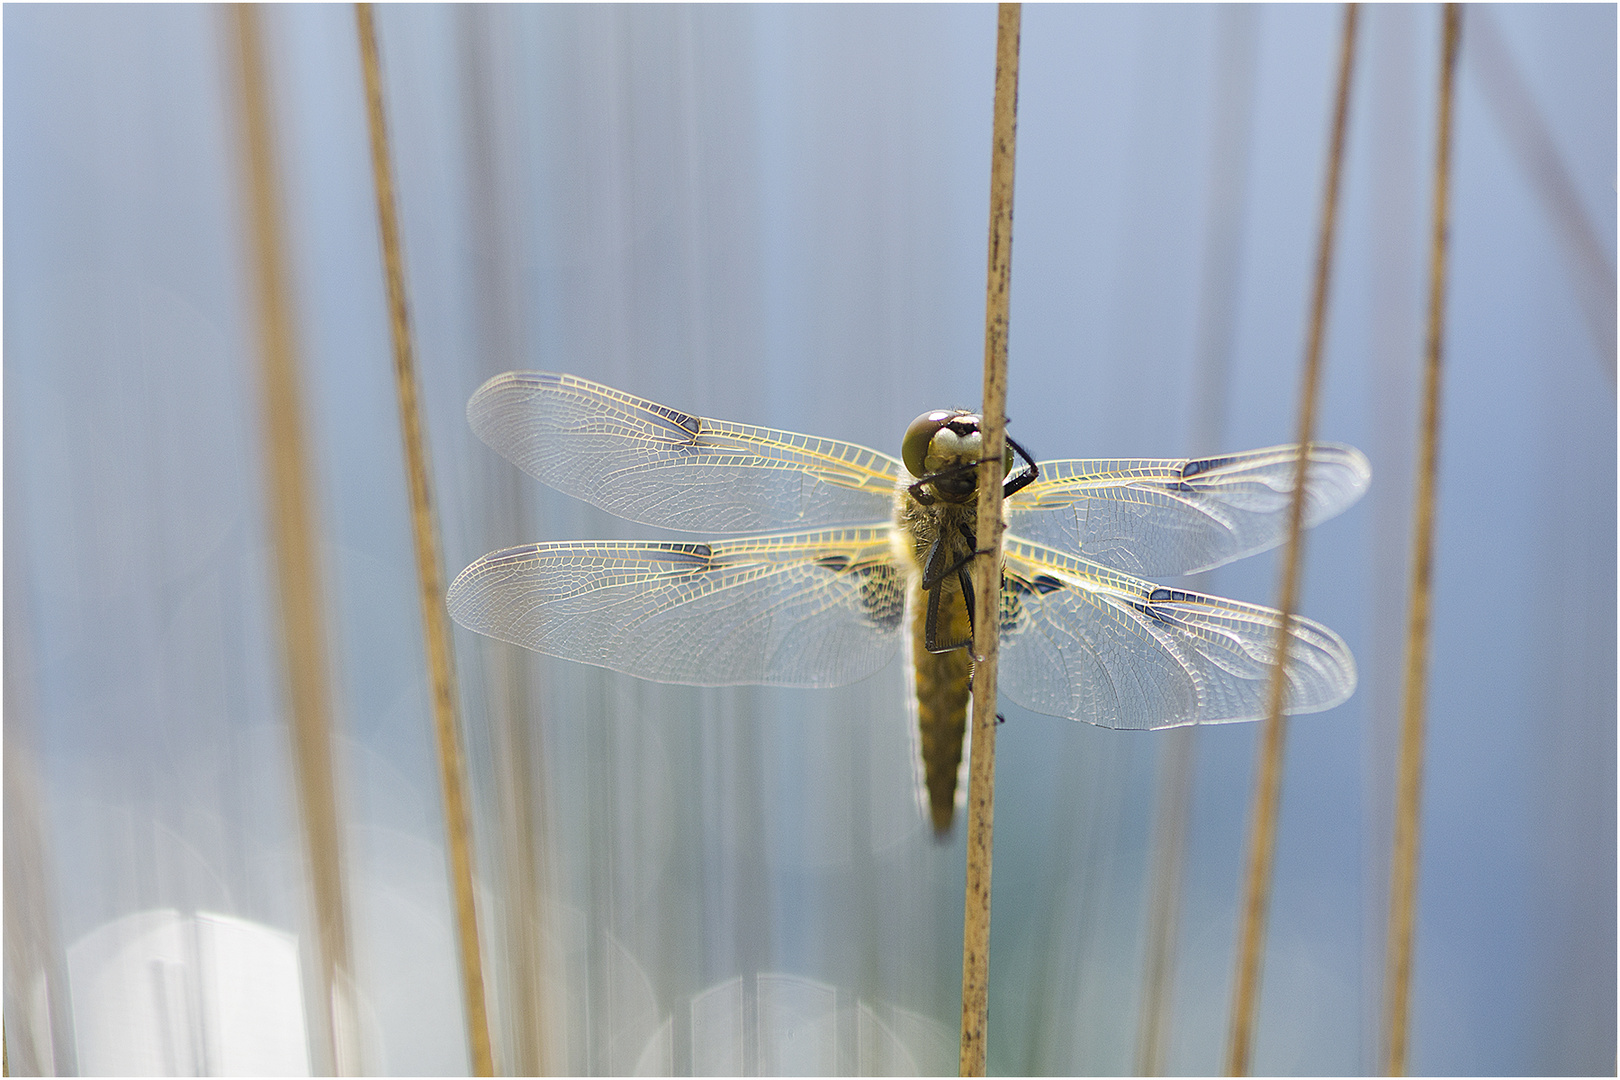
(987, 572)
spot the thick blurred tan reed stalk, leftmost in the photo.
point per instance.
(296, 542)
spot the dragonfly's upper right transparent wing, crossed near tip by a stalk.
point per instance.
(1175, 517)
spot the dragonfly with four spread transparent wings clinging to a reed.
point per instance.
(840, 556)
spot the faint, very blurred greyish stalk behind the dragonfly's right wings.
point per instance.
(1235, 61)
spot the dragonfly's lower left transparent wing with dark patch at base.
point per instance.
(801, 610)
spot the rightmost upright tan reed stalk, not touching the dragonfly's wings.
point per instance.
(1409, 775)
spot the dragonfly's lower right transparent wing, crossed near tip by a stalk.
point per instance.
(1106, 648)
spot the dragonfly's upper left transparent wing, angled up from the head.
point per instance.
(652, 464)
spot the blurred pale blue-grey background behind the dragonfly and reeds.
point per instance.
(778, 216)
